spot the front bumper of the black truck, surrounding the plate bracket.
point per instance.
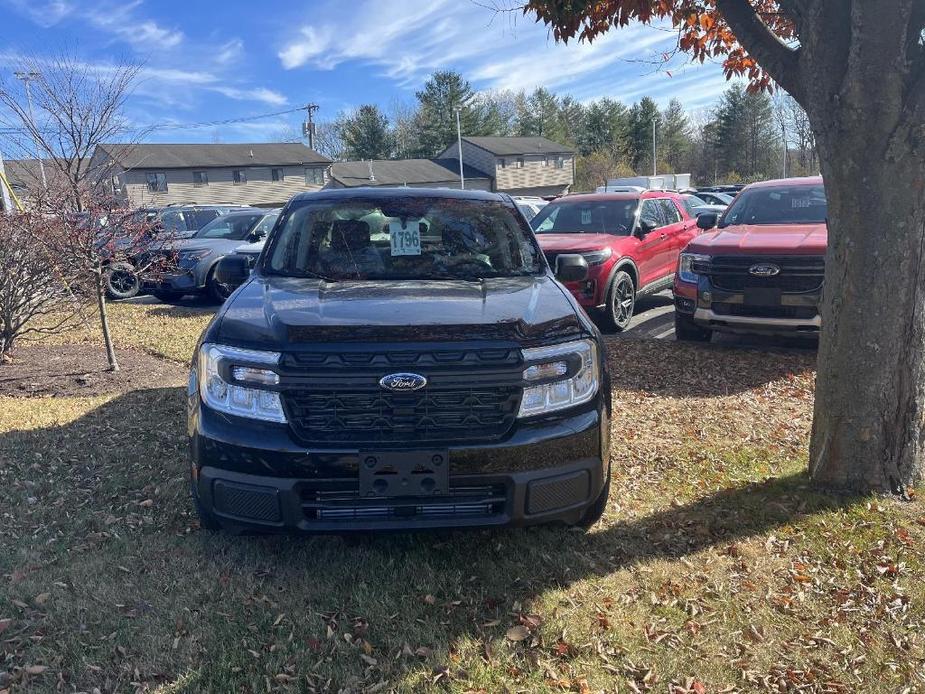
(258, 478)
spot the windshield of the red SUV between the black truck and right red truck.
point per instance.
(588, 217)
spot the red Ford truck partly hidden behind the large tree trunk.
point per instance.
(761, 270)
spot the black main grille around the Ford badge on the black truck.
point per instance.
(335, 398)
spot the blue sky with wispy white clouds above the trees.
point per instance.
(206, 60)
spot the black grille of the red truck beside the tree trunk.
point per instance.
(798, 274)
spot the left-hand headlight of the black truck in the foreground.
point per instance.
(234, 381)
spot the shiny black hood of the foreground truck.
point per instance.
(280, 312)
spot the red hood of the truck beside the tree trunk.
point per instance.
(797, 239)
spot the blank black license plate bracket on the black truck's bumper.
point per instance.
(404, 473)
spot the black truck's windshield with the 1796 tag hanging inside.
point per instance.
(402, 238)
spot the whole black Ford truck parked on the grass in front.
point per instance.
(440, 377)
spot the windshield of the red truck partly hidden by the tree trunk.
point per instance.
(794, 204)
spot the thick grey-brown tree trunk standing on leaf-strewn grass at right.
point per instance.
(869, 423)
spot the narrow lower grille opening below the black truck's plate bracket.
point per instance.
(340, 501)
